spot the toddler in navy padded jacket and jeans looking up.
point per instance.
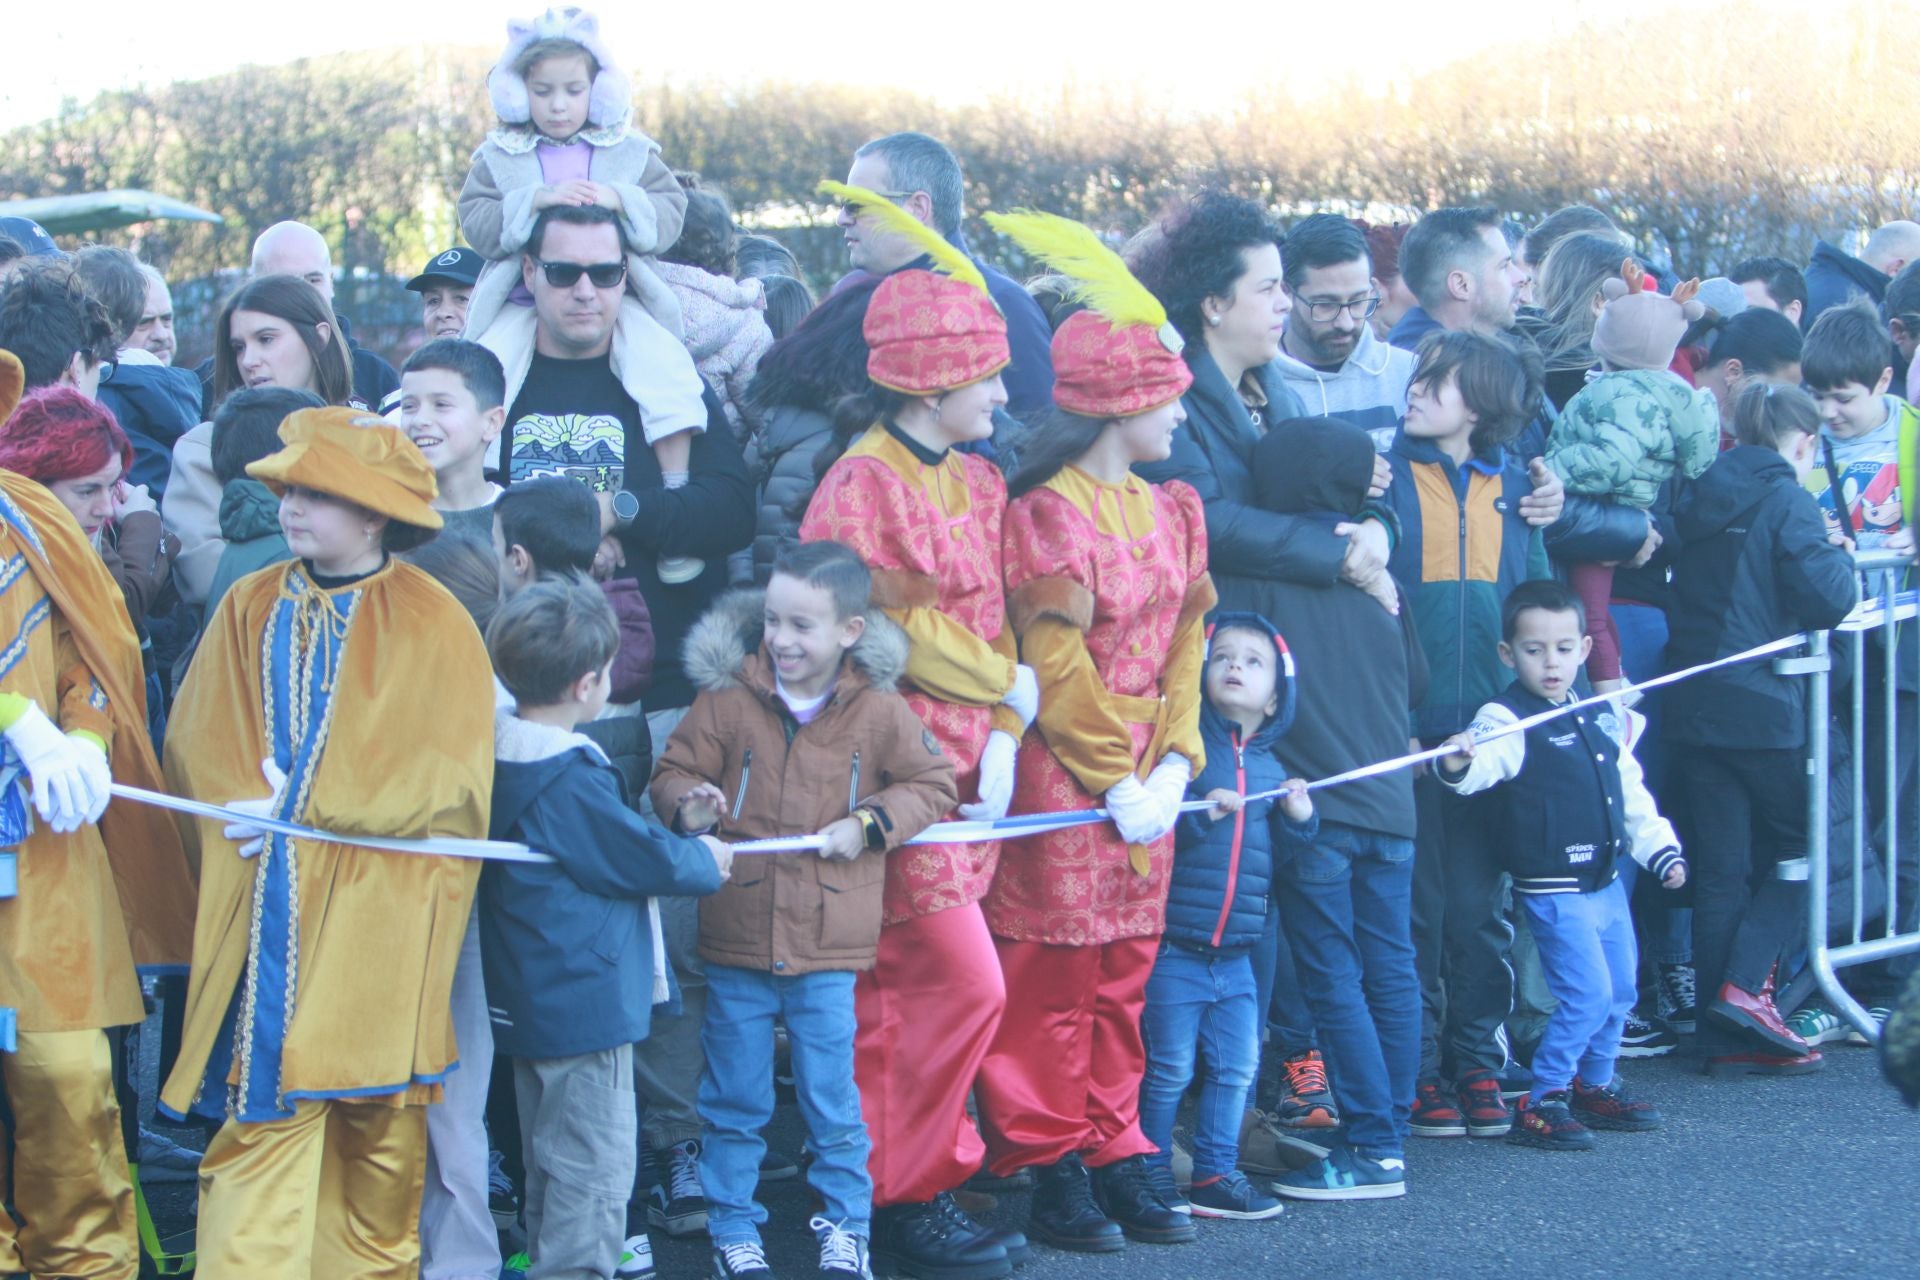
(1203, 993)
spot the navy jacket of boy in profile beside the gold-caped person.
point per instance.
(567, 947)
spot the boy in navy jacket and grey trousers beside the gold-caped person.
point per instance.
(573, 949)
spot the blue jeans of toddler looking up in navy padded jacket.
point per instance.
(1207, 1003)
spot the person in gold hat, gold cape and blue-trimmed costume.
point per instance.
(358, 696)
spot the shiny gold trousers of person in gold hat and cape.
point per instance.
(329, 1195)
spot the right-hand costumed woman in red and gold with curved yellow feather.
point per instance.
(1109, 594)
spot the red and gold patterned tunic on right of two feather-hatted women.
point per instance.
(1109, 590)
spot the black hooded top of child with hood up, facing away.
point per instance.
(1358, 669)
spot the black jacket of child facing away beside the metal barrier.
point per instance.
(1754, 567)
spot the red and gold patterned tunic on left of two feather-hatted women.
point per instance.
(932, 536)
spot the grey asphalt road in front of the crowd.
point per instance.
(1798, 1179)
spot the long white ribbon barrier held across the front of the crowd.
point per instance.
(1869, 615)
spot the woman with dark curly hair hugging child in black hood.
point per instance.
(1216, 268)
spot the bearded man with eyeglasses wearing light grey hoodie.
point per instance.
(1330, 354)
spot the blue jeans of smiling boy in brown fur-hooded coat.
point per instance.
(736, 1097)
